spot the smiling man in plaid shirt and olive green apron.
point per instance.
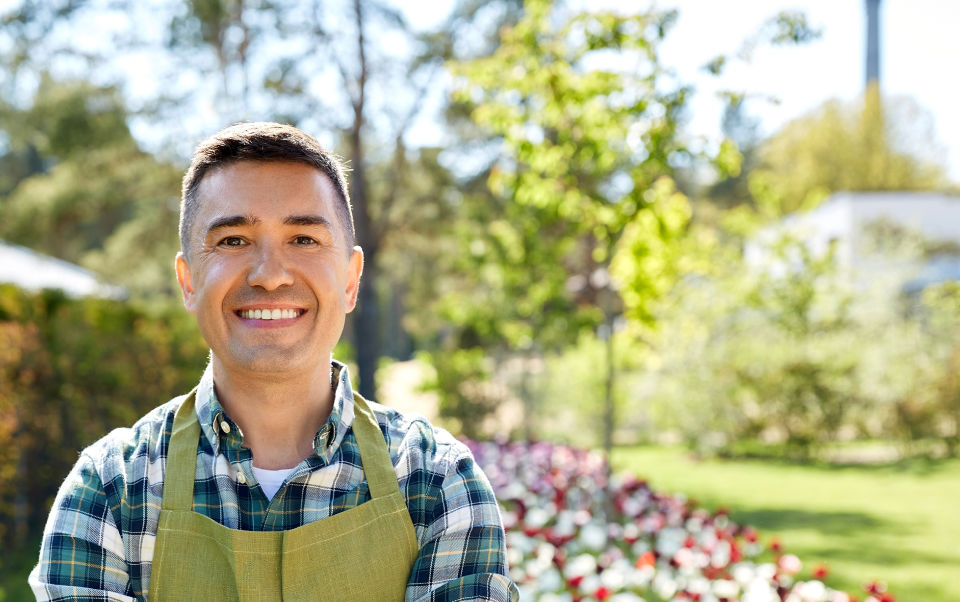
(272, 479)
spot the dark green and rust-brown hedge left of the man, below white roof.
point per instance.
(71, 370)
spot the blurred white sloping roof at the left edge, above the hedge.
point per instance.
(33, 271)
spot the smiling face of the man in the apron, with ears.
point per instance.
(270, 274)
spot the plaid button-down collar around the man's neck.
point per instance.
(220, 430)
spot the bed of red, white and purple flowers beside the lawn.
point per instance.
(569, 541)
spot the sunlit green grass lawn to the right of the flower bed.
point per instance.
(899, 523)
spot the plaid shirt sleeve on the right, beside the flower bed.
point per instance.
(463, 556)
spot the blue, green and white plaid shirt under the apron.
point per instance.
(99, 539)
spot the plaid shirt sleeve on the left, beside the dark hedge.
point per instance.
(81, 556)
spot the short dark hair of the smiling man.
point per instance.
(260, 141)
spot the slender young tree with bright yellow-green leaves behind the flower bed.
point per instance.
(582, 148)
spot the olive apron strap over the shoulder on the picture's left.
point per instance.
(182, 457)
